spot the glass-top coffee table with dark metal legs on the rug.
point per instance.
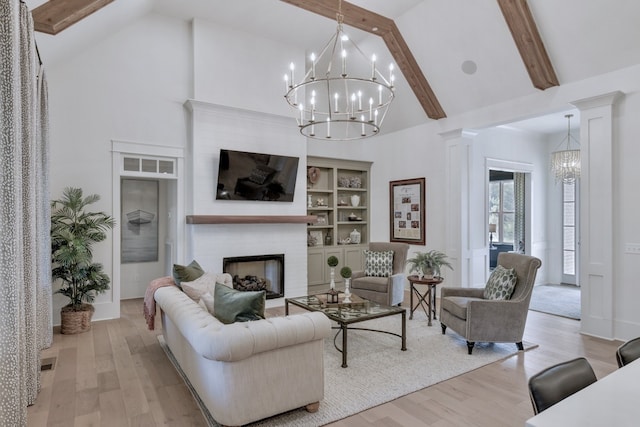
(345, 314)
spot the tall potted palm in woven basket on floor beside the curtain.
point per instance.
(73, 233)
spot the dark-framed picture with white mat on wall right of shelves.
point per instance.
(407, 206)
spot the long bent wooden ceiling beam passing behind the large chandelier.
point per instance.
(373, 23)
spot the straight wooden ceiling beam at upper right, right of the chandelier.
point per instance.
(525, 33)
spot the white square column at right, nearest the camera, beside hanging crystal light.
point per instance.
(596, 276)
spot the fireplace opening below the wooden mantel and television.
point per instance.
(256, 273)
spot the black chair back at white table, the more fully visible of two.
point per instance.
(557, 382)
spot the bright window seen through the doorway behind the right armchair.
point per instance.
(502, 209)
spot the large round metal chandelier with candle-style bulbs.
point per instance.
(336, 104)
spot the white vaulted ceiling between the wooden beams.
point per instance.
(583, 38)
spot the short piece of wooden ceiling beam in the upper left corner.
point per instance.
(56, 15)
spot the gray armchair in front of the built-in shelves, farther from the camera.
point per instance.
(383, 290)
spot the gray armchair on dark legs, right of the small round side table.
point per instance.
(467, 312)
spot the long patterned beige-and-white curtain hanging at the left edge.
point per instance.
(25, 273)
